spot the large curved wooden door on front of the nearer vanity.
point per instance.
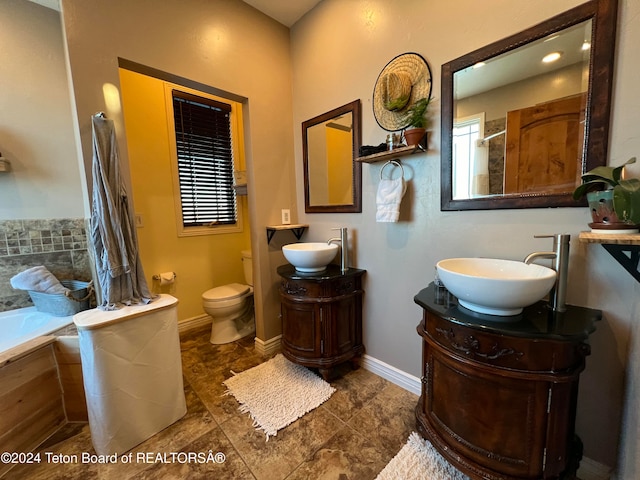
(498, 422)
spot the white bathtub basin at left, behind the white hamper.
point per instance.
(19, 326)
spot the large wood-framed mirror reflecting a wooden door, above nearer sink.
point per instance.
(519, 133)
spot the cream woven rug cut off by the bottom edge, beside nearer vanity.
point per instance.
(418, 460)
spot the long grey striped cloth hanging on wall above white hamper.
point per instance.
(113, 233)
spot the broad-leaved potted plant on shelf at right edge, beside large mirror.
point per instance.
(613, 200)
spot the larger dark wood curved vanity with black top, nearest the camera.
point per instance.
(499, 394)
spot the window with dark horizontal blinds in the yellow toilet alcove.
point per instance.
(205, 160)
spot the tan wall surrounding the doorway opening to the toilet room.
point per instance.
(224, 44)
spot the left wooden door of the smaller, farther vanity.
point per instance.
(301, 331)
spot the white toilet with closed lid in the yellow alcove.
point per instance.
(231, 307)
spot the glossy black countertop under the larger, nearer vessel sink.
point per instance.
(536, 320)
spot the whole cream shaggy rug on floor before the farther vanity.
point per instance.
(278, 392)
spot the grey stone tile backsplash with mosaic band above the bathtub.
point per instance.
(58, 244)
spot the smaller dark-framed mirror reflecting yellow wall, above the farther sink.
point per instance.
(332, 177)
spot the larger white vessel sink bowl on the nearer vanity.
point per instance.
(493, 286)
